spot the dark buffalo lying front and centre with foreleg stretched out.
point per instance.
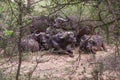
(61, 40)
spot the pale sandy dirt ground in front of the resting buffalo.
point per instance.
(63, 67)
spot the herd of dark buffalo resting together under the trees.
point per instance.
(61, 35)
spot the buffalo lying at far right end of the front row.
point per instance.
(92, 43)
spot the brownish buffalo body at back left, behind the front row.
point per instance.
(41, 23)
